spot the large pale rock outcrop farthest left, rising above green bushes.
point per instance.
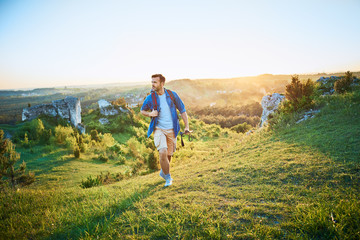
(68, 108)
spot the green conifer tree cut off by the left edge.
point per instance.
(8, 159)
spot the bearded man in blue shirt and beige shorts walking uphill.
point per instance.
(164, 122)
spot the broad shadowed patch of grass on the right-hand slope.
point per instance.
(335, 135)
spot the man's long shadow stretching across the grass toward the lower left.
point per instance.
(99, 223)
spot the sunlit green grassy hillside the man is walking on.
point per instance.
(300, 181)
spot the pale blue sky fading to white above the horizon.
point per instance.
(50, 43)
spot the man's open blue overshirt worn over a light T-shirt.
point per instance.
(149, 105)
